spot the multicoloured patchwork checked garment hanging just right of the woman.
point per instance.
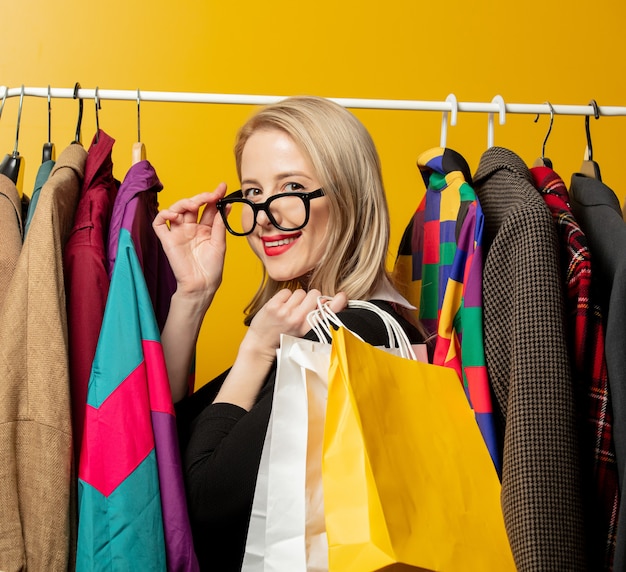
(440, 264)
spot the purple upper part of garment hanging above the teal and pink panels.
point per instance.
(135, 207)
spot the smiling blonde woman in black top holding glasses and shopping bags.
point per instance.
(301, 156)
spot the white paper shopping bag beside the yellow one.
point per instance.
(287, 530)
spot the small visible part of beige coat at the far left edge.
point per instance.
(10, 232)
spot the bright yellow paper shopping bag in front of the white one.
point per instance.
(408, 481)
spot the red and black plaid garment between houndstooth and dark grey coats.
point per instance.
(586, 338)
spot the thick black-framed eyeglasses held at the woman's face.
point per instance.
(286, 211)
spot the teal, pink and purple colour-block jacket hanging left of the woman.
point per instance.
(132, 510)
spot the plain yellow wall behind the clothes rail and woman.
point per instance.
(400, 49)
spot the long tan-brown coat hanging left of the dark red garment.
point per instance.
(35, 421)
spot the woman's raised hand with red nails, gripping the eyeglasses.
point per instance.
(195, 244)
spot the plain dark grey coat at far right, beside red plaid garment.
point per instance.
(598, 212)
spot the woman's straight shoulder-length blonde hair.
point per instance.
(348, 167)
